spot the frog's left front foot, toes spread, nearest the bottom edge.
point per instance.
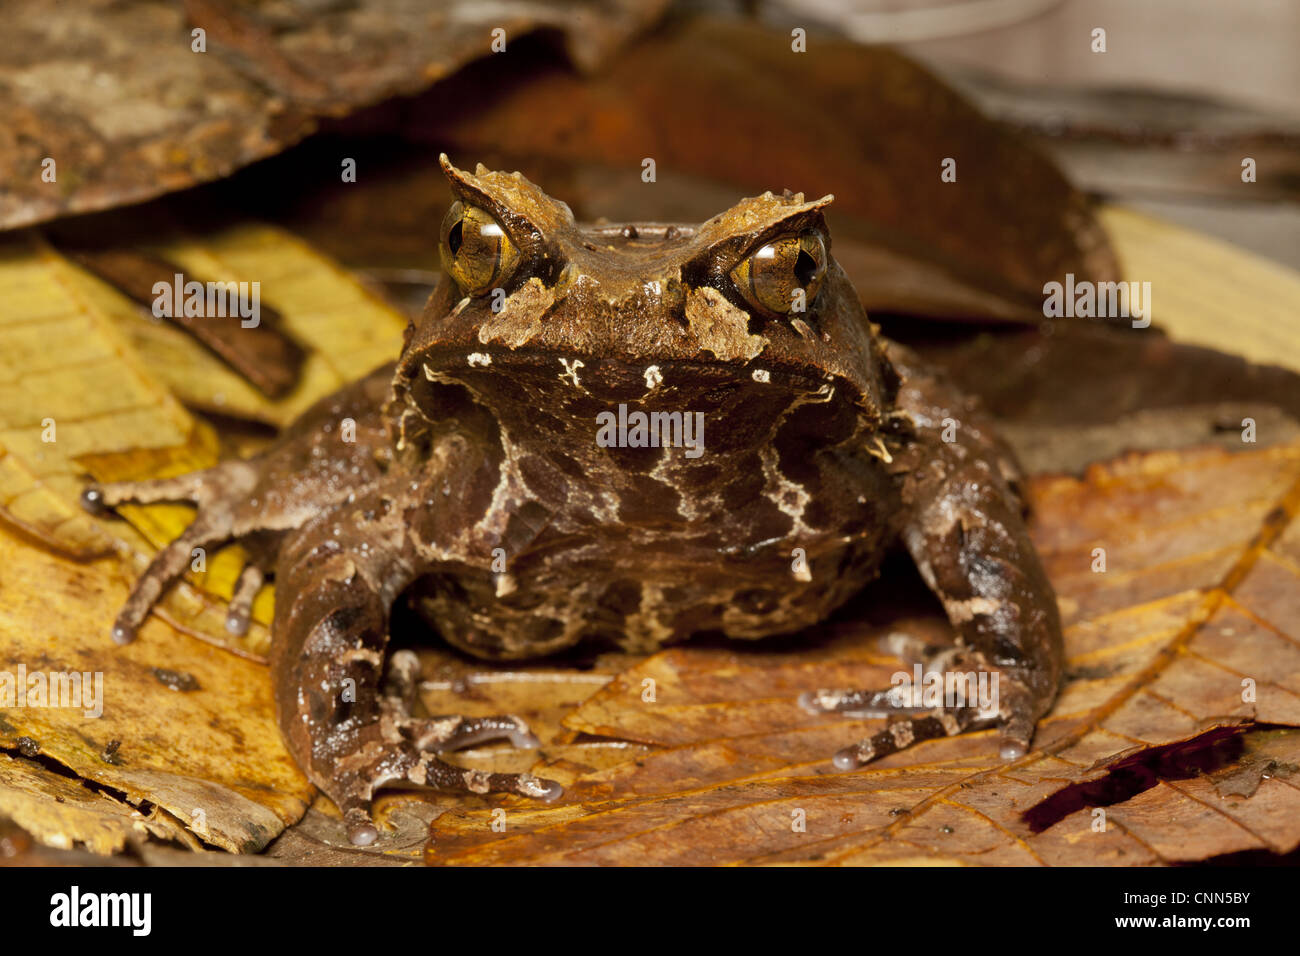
(415, 763)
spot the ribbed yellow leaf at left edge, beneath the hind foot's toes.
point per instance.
(90, 405)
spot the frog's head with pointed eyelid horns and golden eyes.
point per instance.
(539, 312)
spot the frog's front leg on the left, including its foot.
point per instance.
(346, 720)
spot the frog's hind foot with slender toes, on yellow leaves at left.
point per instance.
(216, 492)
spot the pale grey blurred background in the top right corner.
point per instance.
(1181, 83)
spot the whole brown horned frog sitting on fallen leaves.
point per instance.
(625, 434)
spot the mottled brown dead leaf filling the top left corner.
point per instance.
(116, 96)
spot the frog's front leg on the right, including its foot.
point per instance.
(965, 529)
